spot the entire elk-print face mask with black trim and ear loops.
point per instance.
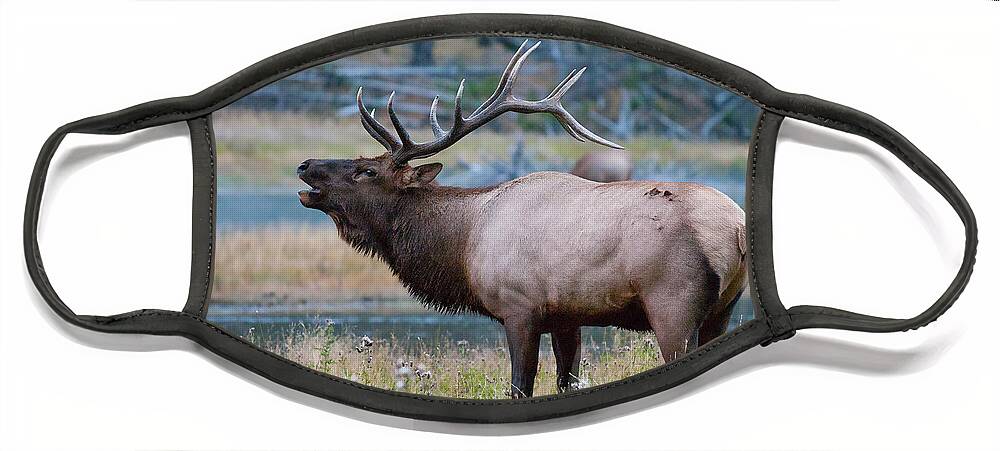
(525, 249)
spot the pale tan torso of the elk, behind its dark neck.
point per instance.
(558, 245)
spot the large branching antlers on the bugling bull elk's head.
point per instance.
(403, 149)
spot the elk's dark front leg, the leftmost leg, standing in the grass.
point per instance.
(522, 342)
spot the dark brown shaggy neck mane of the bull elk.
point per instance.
(423, 237)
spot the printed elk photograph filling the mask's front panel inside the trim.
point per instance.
(580, 222)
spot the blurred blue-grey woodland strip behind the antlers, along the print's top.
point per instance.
(621, 95)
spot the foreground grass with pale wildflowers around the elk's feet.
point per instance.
(443, 367)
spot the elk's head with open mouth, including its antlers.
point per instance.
(350, 190)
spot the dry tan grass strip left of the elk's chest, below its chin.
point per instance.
(299, 262)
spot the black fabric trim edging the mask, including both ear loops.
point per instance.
(763, 330)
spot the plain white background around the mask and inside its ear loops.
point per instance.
(852, 229)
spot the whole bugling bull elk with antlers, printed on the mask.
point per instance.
(545, 253)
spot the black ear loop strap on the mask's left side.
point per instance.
(148, 321)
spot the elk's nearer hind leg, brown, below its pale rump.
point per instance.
(675, 309)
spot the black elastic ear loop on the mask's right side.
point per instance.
(861, 124)
